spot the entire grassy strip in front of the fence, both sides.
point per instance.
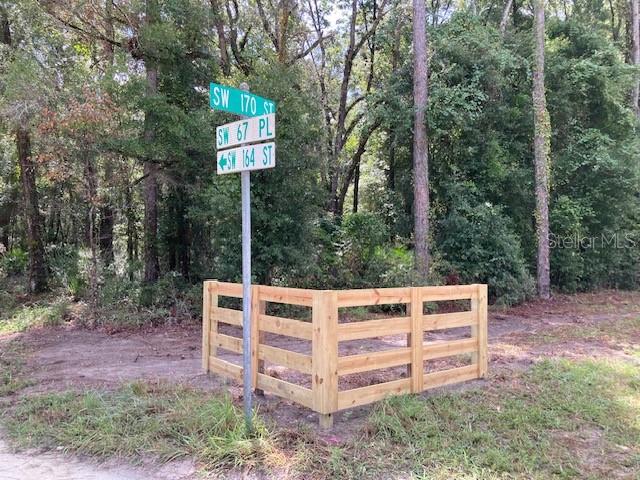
(561, 419)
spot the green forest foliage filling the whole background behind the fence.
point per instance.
(94, 120)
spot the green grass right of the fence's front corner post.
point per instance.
(560, 420)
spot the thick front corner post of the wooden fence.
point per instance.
(324, 346)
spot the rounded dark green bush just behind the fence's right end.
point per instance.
(478, 245)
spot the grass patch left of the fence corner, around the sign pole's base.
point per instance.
(142, 419)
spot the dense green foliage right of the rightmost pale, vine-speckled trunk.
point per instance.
(595, 210)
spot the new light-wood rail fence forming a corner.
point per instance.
(322, 361)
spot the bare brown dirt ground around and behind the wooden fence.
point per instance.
(73, 358)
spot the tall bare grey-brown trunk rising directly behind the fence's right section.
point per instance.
(420, 153)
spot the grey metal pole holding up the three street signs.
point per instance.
(245, 185)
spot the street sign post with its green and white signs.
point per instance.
(243, 159)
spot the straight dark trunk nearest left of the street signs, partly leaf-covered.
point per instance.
(150, 167)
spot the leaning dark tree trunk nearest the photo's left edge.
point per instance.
(37, 263)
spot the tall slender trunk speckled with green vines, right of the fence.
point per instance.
(541, 143)
